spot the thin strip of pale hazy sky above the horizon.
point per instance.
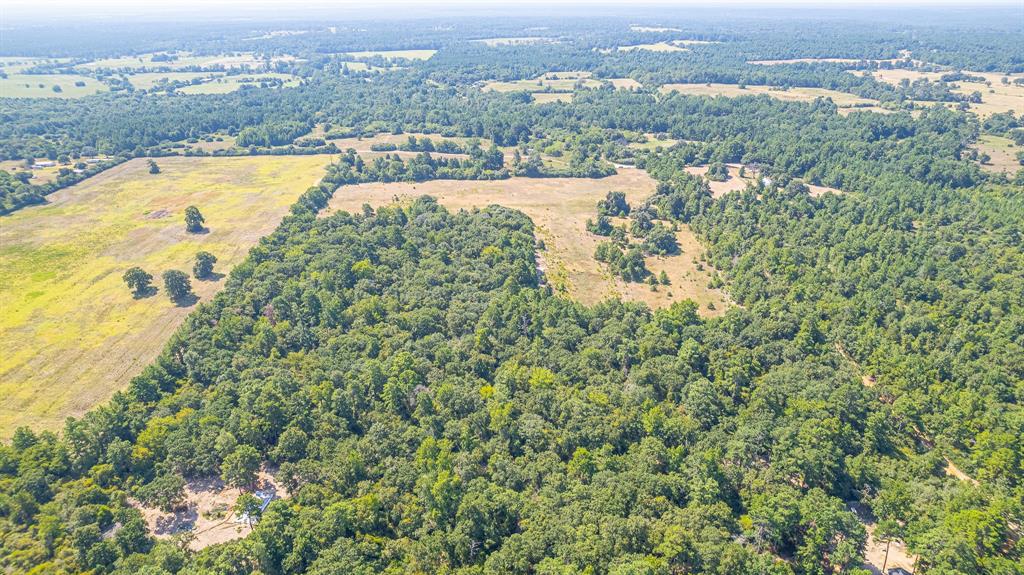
(70, 11)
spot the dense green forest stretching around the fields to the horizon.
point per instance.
(432, 406)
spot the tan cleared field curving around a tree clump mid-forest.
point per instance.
(560, 208)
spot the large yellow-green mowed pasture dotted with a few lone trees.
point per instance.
(71, 330)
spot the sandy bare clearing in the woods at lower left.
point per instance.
(207, 515)
